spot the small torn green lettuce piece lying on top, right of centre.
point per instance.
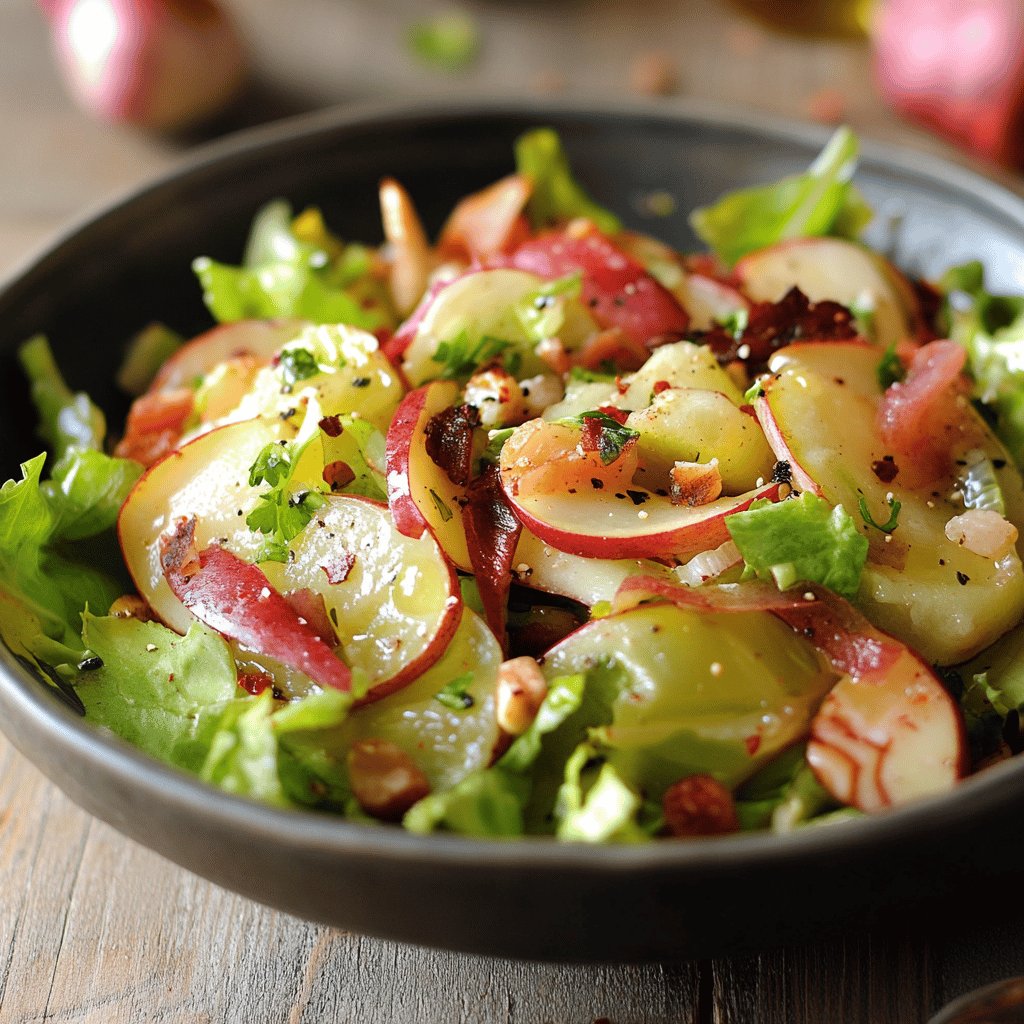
(802, 540)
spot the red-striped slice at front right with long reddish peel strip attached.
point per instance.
(888, 733)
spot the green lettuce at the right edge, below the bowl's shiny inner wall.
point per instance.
(992, 329)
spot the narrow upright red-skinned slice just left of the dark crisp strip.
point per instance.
(421, 496)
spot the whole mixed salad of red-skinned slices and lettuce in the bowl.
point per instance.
(544, 528)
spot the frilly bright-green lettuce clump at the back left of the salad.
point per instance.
(287, 275)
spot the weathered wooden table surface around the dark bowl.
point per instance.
(97, 929)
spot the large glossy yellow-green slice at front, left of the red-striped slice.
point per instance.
(716, 693)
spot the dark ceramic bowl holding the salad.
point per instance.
(535, 900)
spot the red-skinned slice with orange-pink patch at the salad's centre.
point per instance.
(571, 500)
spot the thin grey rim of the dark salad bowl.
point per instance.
(315, 831)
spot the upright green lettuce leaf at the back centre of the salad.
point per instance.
(558, 196)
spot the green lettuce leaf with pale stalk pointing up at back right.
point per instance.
(823, 201)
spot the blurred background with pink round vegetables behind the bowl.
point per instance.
(99, 96)
